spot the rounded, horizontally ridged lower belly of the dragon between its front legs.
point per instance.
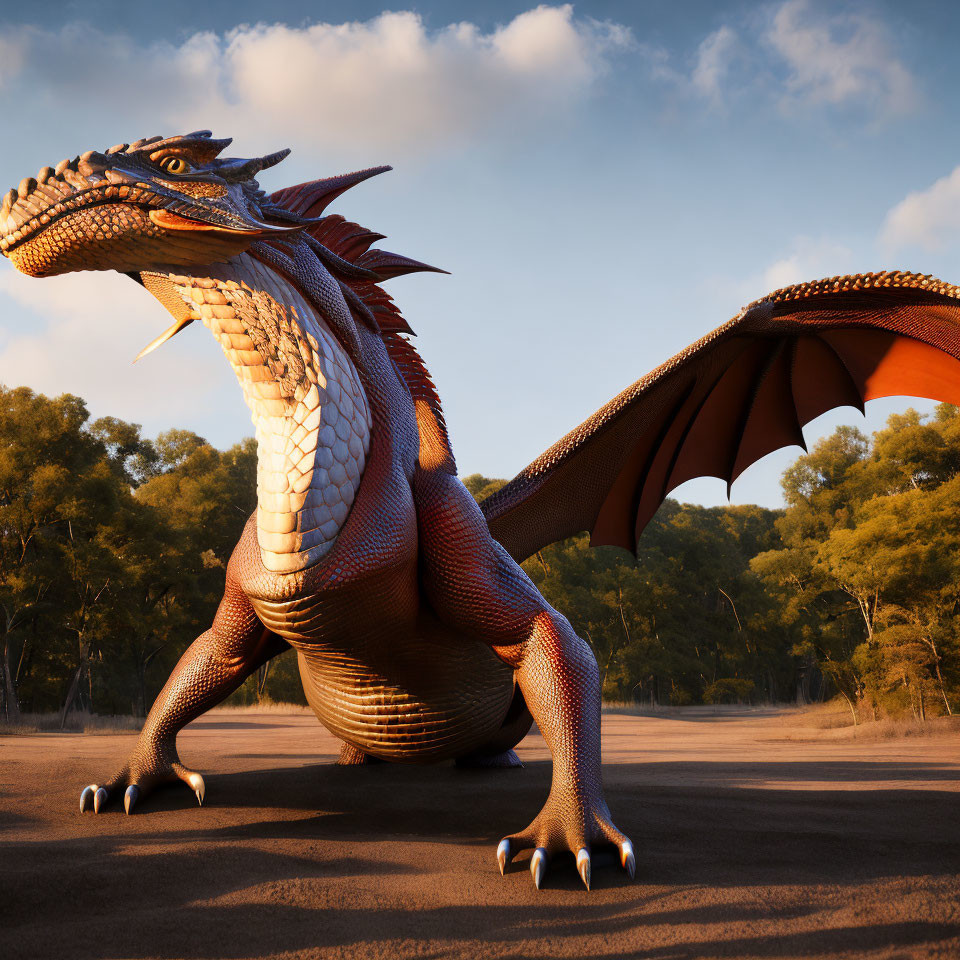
(414, 700)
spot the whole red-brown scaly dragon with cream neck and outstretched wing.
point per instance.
(419, 637)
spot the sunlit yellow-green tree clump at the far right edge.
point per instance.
(868, 572)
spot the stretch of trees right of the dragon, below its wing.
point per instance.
(852, 590)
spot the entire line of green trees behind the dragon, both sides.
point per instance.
(113, 548)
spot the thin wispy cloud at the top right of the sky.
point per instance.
(844, 59)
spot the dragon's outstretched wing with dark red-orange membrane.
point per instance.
(731, 398)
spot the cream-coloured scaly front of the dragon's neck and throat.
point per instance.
(306, 400)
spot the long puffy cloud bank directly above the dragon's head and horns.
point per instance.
(386, 83)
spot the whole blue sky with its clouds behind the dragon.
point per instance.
(606, 182)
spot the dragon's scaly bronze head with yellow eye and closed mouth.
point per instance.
(136, 206)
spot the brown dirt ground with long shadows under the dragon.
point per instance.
(749, 844)
